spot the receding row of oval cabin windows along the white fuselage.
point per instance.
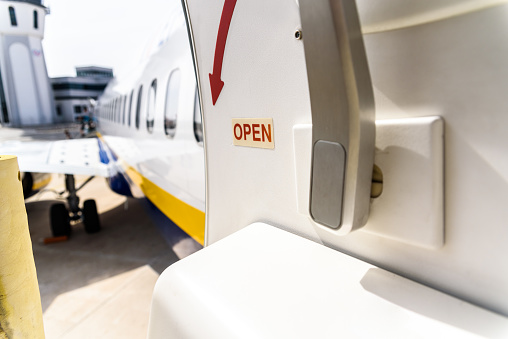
(119, 110)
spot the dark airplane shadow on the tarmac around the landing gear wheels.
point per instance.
(128, 240)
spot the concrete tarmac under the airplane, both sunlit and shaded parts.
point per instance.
(97, 285)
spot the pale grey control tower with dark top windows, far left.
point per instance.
(26, 97)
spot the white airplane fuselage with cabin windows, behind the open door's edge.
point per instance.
(151, 121)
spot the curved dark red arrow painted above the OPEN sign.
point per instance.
(216, 83)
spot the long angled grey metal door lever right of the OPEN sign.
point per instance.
(343, 117)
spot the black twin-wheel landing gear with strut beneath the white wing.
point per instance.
(61, 217)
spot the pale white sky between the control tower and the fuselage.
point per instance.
(106, 33)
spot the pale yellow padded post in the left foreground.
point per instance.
(20, 303)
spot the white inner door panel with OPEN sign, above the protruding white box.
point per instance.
(259, 74)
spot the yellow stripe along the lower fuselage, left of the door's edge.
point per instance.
(188, 218)
